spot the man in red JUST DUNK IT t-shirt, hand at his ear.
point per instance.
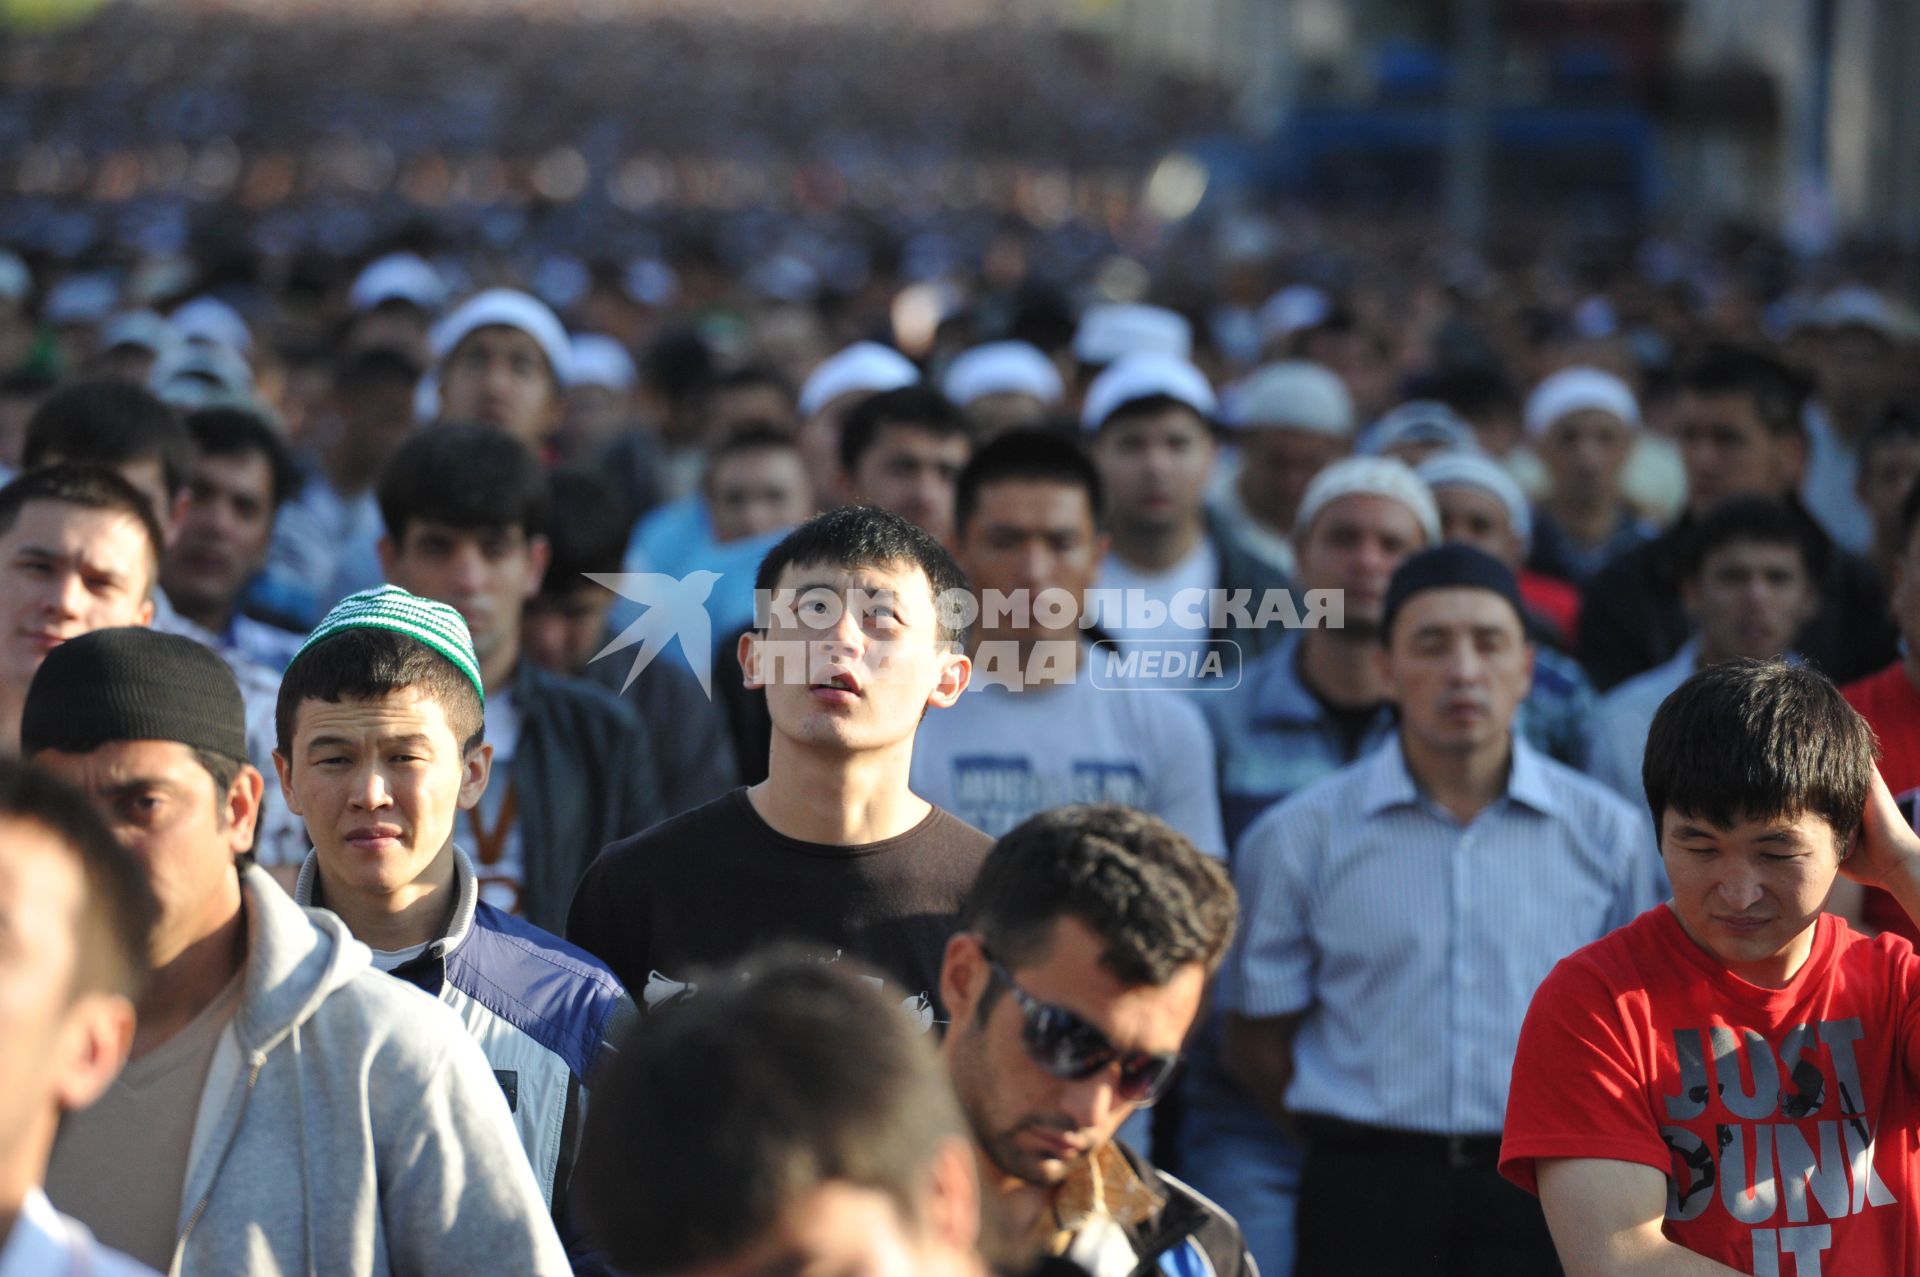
(1731, 1084)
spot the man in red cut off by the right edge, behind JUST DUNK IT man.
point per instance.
(1890, 704)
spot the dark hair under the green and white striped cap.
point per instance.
(368, 665)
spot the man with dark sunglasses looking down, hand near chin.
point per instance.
(1080, 967)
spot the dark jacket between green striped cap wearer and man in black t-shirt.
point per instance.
(583, 777)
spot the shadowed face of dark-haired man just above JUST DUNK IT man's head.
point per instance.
(1750, 600)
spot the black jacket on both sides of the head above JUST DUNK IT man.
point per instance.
(1631, 615)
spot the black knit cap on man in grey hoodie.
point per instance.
(133, 685)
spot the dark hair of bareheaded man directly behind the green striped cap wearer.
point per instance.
(466, 477)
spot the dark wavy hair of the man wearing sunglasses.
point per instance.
(1153, 900)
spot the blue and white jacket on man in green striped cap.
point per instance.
(542, 1011)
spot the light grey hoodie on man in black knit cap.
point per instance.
(350, 1126)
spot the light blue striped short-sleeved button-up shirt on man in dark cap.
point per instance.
(1414, 944)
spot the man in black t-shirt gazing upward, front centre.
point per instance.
(832, 850)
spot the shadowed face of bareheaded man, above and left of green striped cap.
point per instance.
(224, 535)
